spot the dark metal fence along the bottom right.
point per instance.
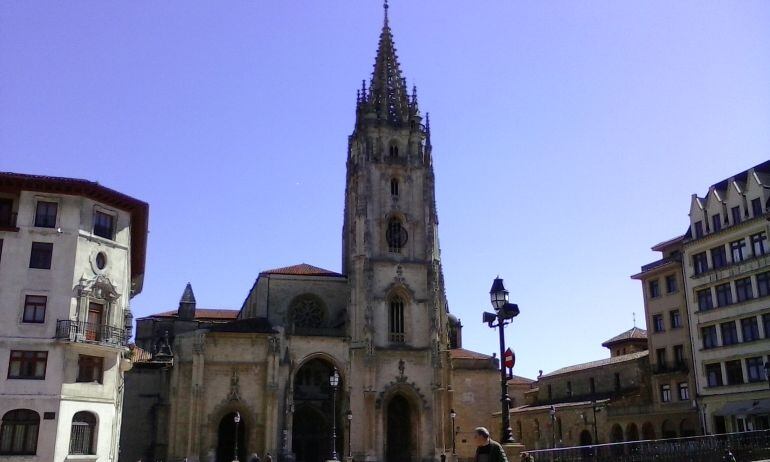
(747, 446)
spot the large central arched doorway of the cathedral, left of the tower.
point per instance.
(312, 423)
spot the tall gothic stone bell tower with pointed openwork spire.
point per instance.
(399, 367)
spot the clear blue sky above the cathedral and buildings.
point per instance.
(568, 137)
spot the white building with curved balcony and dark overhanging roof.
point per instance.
(71, 257)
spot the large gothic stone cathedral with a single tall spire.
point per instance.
(362, 364)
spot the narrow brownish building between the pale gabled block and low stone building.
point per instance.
(671, 359)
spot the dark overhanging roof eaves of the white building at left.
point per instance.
(139, 210)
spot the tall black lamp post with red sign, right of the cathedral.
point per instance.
(504, 313)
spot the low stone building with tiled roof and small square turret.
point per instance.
(604, 401)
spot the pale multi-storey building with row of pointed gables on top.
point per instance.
(726, 260)
